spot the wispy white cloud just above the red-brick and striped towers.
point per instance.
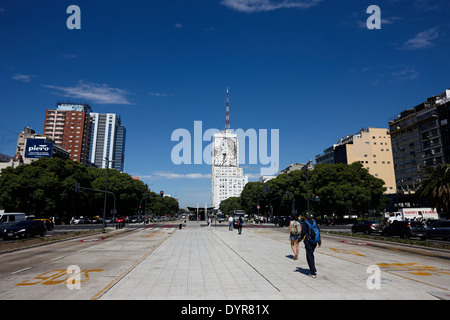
(94, 93)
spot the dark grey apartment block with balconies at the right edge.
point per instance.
(420, 139)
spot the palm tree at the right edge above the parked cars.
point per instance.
(435, 187)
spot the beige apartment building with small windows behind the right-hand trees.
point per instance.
(372, 148)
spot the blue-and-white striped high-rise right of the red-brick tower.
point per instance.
(107, 141)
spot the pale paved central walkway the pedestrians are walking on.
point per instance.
(198, 263)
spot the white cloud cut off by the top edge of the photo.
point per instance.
(267, 5)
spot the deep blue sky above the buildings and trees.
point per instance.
(310, 69)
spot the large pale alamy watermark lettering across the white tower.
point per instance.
(191, 149)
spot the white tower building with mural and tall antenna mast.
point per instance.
(228, 179)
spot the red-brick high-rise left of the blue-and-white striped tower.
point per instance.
(69, 126)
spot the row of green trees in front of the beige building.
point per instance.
(341, 188)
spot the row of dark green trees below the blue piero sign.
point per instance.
(46, 188)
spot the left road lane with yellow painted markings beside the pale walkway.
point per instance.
(76, 269)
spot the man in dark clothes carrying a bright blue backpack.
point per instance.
(311, 237)
